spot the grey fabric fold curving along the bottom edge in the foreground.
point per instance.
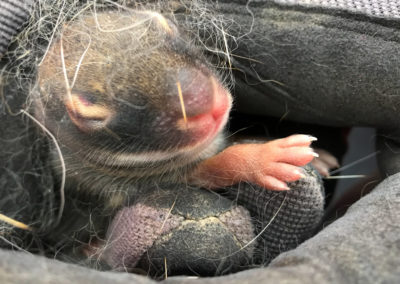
(361, 247)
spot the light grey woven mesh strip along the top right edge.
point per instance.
(375, 8)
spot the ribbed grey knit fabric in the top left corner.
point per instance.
(13, 14)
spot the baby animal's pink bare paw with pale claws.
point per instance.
(270, 165)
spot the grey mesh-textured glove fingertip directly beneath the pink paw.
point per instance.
(282, 219)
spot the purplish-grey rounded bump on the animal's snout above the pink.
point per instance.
(196, 92)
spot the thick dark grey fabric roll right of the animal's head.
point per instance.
(321, 68)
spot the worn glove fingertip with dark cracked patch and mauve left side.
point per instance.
(192, 229)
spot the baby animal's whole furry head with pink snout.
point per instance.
(128, 89)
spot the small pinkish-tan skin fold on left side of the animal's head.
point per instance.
(86, 115)
